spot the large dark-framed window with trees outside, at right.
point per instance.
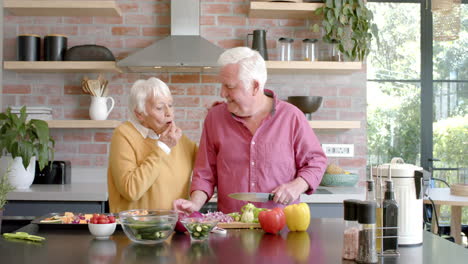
(418, 91)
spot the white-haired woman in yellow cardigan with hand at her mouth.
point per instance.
(150, 161)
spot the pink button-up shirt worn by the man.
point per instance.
(283, 148)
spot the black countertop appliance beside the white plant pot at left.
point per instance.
(60, 173)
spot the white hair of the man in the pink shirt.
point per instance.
(251, 65)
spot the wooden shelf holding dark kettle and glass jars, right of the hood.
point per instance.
(311, 66)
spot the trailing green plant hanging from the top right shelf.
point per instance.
(347, 22)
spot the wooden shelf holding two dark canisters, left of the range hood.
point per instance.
(61, 66)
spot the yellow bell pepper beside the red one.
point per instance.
(297, 216)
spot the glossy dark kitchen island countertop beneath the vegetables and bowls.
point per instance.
(321, 244)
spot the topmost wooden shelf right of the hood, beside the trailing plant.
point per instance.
(277, 10)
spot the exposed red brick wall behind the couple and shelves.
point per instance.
(223, 22)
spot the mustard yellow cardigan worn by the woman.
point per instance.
(142, 176)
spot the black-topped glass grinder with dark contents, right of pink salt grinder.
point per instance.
(366, 219)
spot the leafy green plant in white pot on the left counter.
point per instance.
(24, 141)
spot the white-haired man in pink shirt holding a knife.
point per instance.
(253, 142)
